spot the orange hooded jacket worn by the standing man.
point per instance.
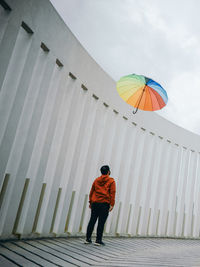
(103, 190)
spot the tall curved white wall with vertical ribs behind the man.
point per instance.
(56, 130)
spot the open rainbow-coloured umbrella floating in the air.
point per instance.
(142, 92)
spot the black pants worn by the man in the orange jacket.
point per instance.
(98, 211)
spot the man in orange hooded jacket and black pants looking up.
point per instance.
(102, 200)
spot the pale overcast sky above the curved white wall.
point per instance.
(157, 38)
